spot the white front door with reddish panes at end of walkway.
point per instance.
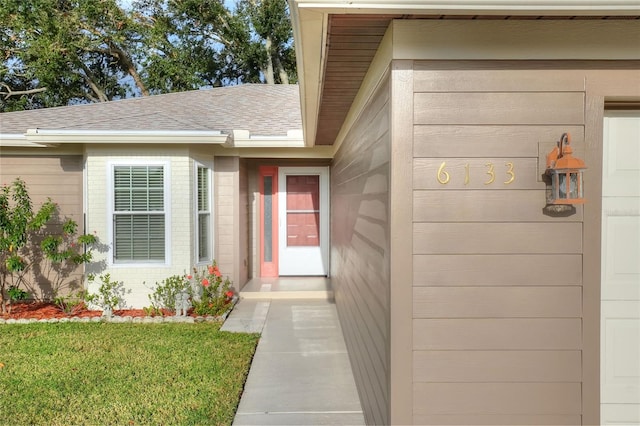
(303, 204)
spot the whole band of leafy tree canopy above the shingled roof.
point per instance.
(60, 52)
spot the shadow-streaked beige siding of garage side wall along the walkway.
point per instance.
(360, 252)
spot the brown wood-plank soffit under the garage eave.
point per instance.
(352, 42)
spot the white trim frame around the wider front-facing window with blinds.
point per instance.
(111, 165)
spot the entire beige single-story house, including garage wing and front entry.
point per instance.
(419, 189)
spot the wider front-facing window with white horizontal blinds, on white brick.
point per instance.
(139, 214)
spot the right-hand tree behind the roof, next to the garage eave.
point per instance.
(251, 42)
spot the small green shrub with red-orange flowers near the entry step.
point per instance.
(213, 293)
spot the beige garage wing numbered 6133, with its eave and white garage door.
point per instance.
(462, 300)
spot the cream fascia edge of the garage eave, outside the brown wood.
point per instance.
(309, 20)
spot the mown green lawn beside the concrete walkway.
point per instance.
(126, 374)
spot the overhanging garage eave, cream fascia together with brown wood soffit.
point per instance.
(337, 40)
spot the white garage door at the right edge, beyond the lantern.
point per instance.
(620, 312)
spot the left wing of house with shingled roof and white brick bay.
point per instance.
(156, 179)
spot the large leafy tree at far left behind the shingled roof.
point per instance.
(58, 52)
